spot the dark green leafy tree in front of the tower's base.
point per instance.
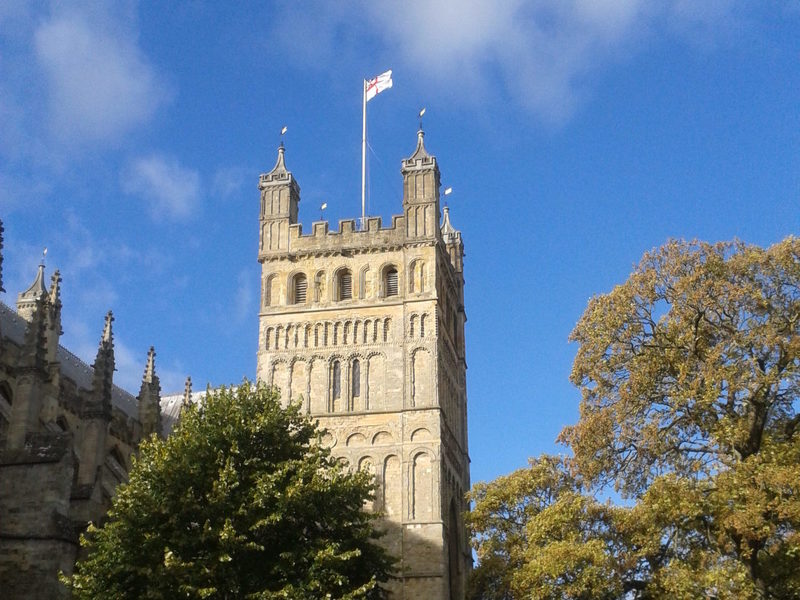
(241, 501)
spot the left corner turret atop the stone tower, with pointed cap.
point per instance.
(280, 196)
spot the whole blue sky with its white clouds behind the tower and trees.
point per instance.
(576, 135)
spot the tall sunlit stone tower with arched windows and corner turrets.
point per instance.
(365, 327)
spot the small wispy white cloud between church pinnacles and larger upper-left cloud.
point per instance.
(172, 191)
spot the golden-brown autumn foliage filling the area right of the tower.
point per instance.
(690, 382)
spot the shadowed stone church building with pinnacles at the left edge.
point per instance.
(66, 438)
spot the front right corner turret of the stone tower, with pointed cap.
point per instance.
(421, 192)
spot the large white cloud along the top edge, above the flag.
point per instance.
(536, 54)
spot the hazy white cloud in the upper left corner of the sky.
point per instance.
(99, 83)
